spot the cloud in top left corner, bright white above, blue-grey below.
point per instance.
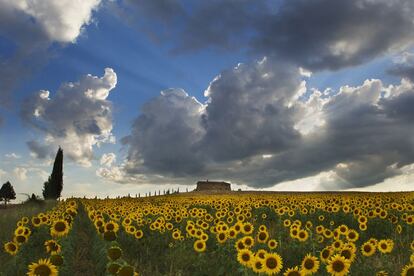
(30, 28)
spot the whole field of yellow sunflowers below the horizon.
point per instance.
(237, 233)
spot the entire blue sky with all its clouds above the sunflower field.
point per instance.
(143, 95)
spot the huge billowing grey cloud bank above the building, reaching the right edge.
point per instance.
(258, 128)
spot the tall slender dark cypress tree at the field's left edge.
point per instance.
(52, 188)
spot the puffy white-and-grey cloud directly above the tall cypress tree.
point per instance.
(77, 117)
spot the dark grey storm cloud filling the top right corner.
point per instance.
(326, 34)
